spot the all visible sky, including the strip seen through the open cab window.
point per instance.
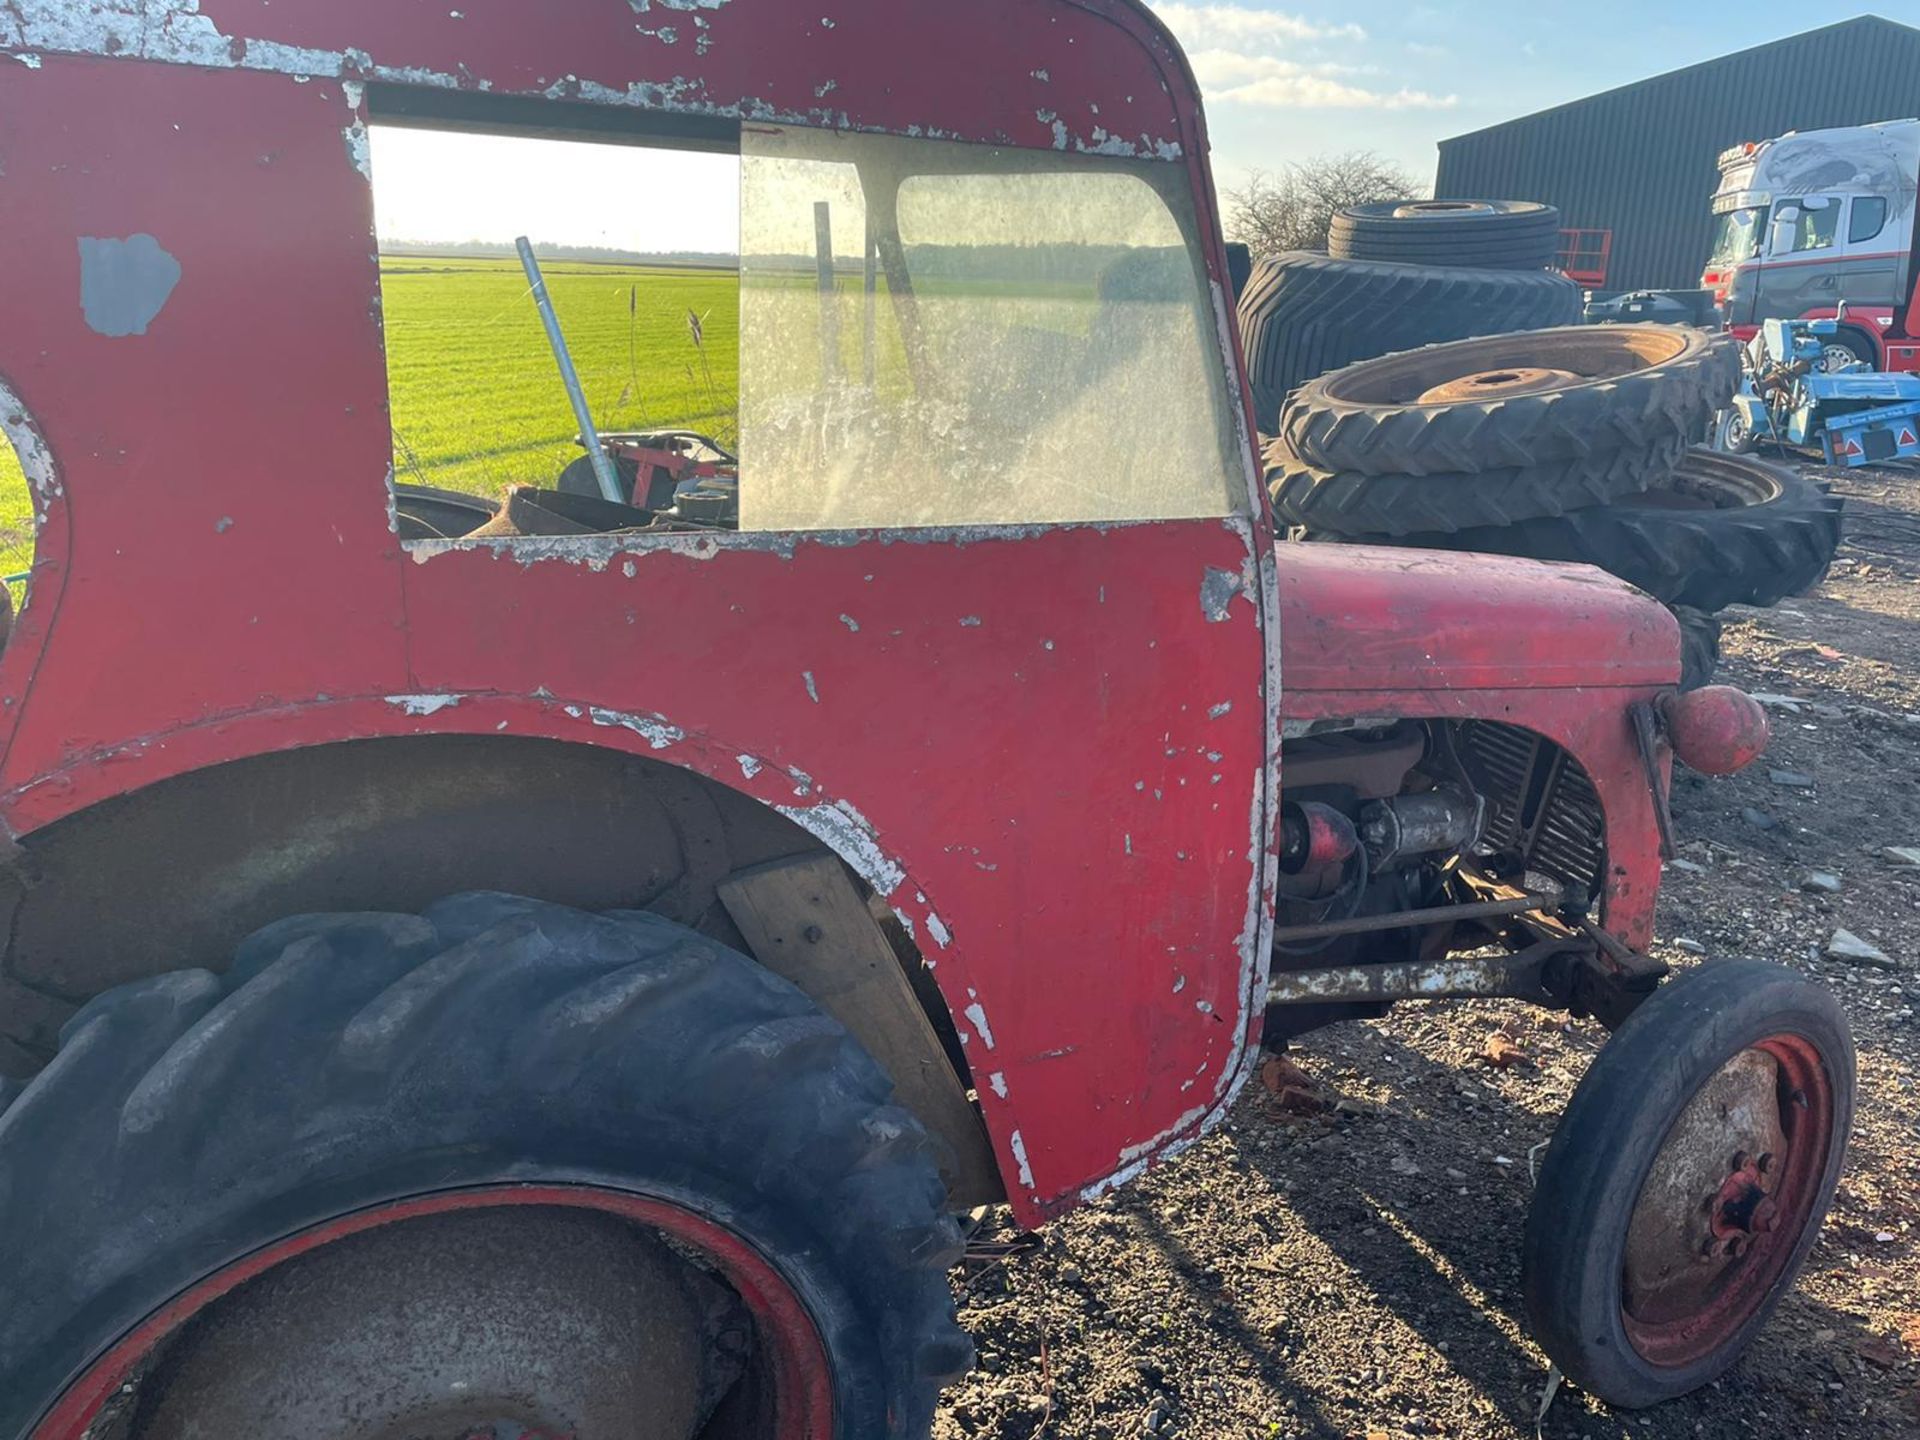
(1285, 82)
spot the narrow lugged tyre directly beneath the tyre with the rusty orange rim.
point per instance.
(1416, 510)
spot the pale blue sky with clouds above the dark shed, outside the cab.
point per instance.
(1287, 82)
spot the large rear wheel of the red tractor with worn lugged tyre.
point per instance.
(491, 1170)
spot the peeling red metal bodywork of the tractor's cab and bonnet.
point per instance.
(1053, 752)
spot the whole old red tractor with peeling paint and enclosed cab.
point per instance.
(521, 982)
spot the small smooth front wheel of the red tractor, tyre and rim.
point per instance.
(1689, 1180)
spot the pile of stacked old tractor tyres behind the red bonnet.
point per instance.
(1560, 444)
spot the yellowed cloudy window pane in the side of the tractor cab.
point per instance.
(949, 335)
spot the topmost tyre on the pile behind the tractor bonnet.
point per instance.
(1497, 235)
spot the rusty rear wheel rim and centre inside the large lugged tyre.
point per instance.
(496, 1314)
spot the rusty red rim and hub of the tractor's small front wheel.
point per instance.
(1727, 1203)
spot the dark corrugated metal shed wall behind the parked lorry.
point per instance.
(1641, 160)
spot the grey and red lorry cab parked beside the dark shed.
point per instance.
(1823, 226)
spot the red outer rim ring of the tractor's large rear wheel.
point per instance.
(786, 1395)
